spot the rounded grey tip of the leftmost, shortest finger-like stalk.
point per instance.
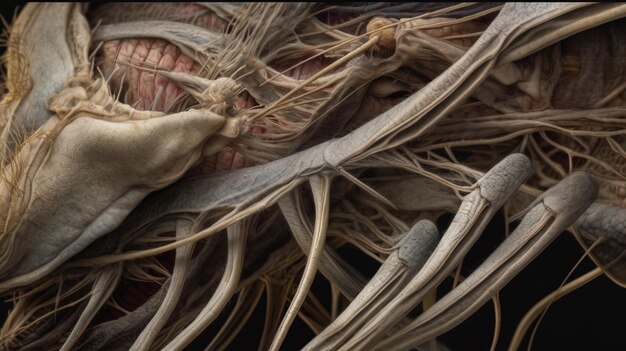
(418, 244)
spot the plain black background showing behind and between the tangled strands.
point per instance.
(591, 318)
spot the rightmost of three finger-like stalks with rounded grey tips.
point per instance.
(540, 226)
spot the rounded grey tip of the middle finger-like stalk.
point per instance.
(503, 179)
